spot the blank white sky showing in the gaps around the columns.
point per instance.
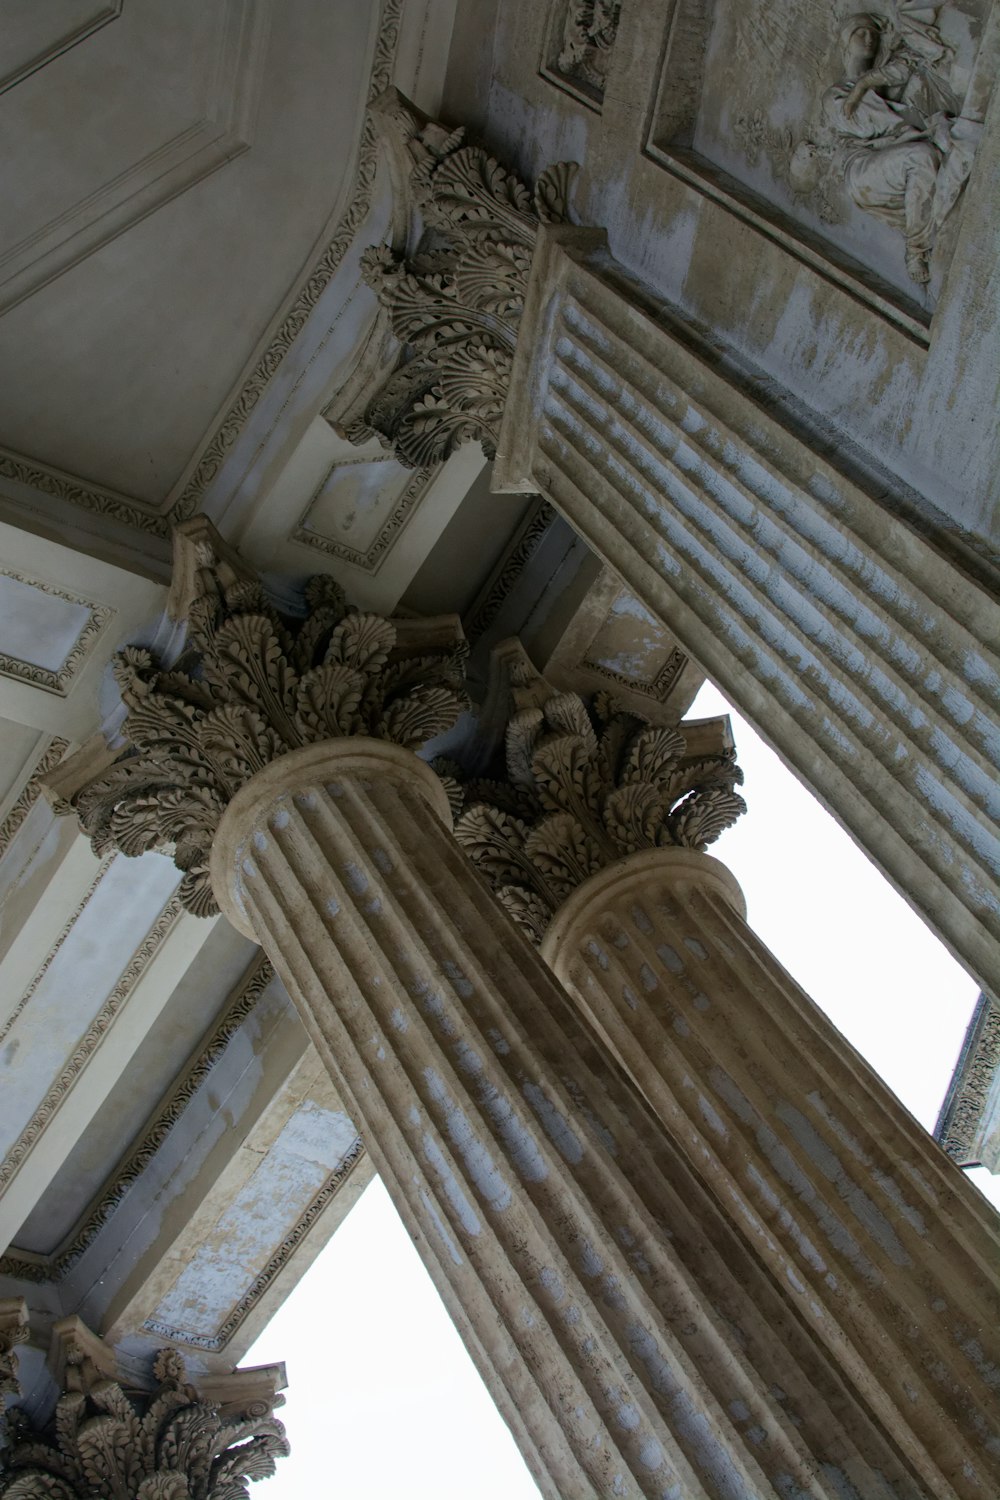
(383, 1400)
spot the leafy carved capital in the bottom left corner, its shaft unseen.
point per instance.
(163, 1447)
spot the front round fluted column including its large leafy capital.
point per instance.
(638, 1340)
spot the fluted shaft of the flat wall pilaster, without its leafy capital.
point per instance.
(851, 643)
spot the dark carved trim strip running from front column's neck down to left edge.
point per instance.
(29, 1267)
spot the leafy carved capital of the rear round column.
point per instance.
(585, 787)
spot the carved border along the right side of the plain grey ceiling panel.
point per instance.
(316, 284)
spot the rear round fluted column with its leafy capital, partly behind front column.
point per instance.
(887, 1253)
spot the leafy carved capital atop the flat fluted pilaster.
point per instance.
(455, 302)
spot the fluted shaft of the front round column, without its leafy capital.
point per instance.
(639, 1342)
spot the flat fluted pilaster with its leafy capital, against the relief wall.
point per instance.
(806, 589)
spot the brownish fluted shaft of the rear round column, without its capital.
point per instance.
(890, 1255)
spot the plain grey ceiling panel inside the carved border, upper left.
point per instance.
(169, 178)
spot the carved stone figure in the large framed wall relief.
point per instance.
(906, 148)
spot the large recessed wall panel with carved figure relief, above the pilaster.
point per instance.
(852, 130)
